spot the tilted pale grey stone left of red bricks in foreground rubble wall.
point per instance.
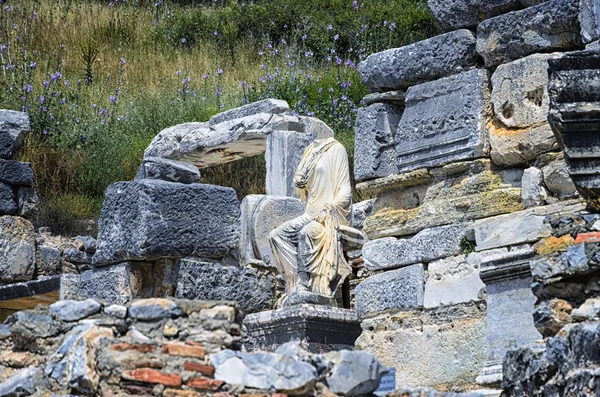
(73, 363)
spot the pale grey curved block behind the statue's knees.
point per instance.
(259, 216)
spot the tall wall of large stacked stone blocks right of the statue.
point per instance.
(455, 146)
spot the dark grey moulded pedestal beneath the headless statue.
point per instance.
(317, 328)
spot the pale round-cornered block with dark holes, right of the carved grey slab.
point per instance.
(519, 91)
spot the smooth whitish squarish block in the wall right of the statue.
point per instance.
(454, 280)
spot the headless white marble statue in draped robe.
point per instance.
(306, 250)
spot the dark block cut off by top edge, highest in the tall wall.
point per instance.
(457, 14)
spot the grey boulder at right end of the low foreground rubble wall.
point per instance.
(354, 372)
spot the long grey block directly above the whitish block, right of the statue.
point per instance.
(425, 246)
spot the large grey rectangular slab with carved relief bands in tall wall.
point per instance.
(444, 121)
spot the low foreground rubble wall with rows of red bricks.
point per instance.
(163, 347)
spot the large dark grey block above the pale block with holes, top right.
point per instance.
(547, 27)
